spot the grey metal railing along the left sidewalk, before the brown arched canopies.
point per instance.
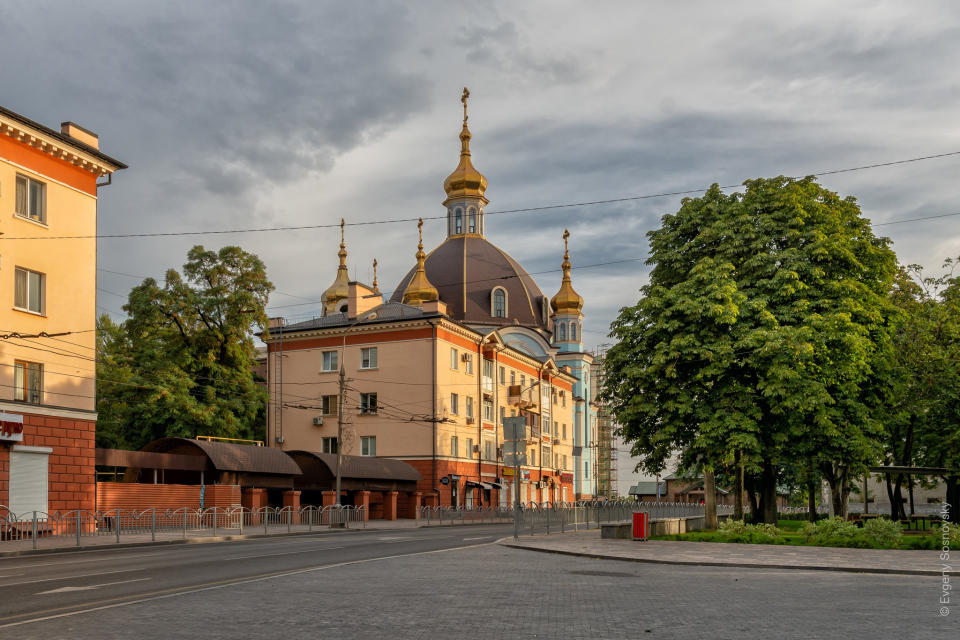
(168, 524)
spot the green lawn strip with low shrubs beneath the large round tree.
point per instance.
(789, 534)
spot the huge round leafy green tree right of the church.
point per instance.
(755, 337)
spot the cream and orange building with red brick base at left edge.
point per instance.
(48, 188)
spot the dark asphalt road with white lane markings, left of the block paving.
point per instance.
(40, 586)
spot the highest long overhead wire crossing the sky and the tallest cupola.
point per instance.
(166, 234)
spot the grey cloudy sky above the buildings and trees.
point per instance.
(236, 115)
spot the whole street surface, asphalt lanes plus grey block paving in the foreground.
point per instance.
(440, 583)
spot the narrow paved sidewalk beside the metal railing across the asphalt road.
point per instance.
(198, 536)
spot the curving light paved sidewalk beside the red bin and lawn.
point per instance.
(590, 544)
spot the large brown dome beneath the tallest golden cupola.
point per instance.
(466, 269)
